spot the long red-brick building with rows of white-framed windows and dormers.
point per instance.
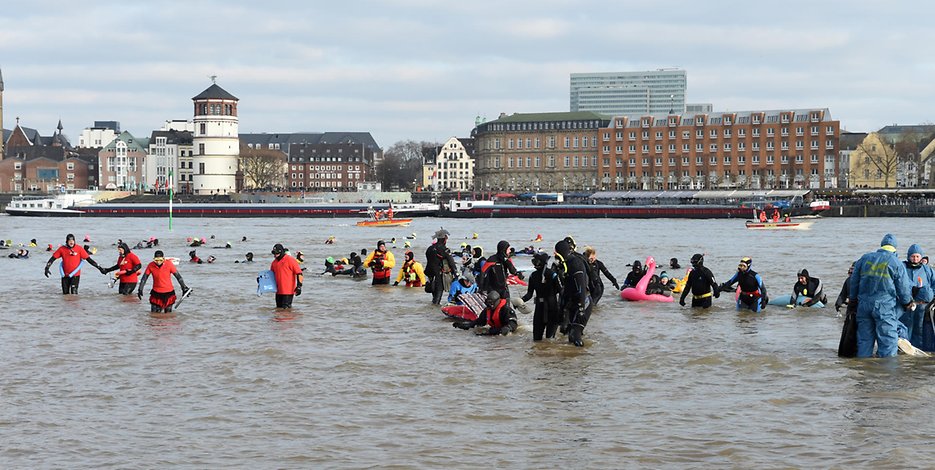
(758, 149)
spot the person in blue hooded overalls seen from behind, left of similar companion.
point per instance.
(882, 290)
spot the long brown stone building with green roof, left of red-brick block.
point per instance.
(538, 152)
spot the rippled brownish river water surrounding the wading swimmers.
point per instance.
(357, 376)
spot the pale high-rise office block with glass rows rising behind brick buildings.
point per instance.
(630, 94)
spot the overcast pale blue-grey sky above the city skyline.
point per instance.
(423, 70)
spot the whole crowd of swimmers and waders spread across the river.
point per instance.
(886, 296)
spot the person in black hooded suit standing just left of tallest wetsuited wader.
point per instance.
(544, 285)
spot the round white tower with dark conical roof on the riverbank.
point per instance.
(215, 141)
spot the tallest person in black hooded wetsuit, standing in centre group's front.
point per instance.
(575, 301)
